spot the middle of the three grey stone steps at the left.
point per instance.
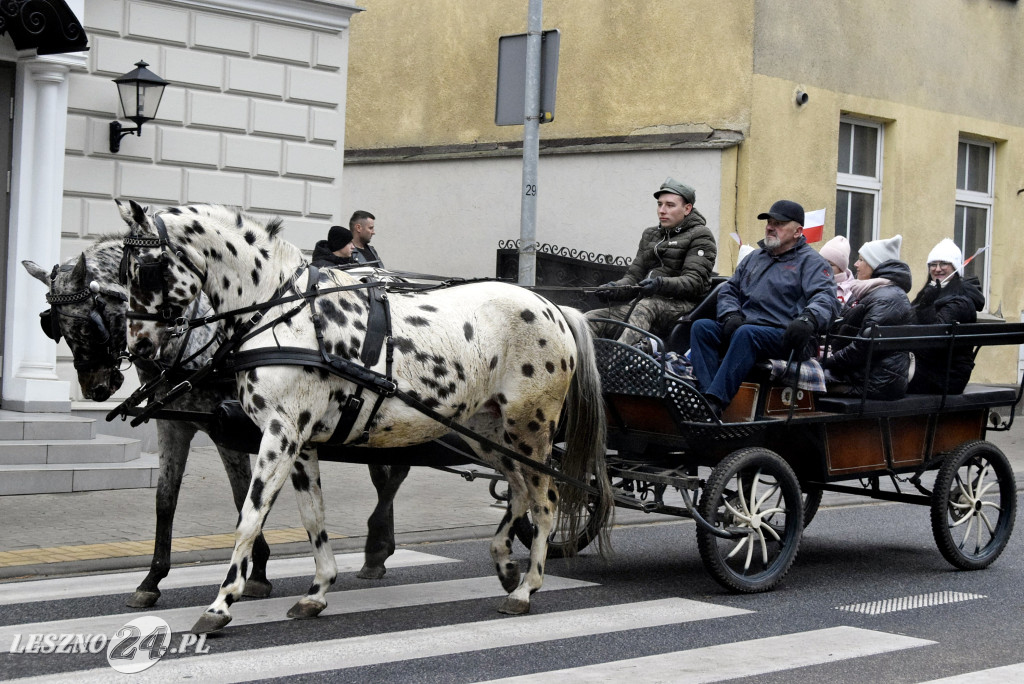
(102, 449)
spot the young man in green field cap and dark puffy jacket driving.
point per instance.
(672, 269)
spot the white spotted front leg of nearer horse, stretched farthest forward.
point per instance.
(277, 455)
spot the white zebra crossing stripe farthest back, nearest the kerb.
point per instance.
(125, 583)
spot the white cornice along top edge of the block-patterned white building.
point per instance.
(331, 16)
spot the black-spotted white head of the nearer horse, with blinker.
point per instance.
(162, 277)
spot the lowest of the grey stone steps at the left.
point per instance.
(58, 479)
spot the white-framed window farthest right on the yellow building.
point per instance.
(973, 220)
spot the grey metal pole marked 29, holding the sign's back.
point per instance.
(531, 147)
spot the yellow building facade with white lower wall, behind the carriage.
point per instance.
(897, 118)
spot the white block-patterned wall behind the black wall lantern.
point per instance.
(254, 117)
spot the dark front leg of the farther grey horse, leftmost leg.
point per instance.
(174, 440)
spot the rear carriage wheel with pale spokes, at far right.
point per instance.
(974, 505)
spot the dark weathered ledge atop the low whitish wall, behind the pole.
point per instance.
(715, 140)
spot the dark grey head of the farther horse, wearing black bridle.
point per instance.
(88, 310)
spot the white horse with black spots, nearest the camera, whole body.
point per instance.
(490, 361)
